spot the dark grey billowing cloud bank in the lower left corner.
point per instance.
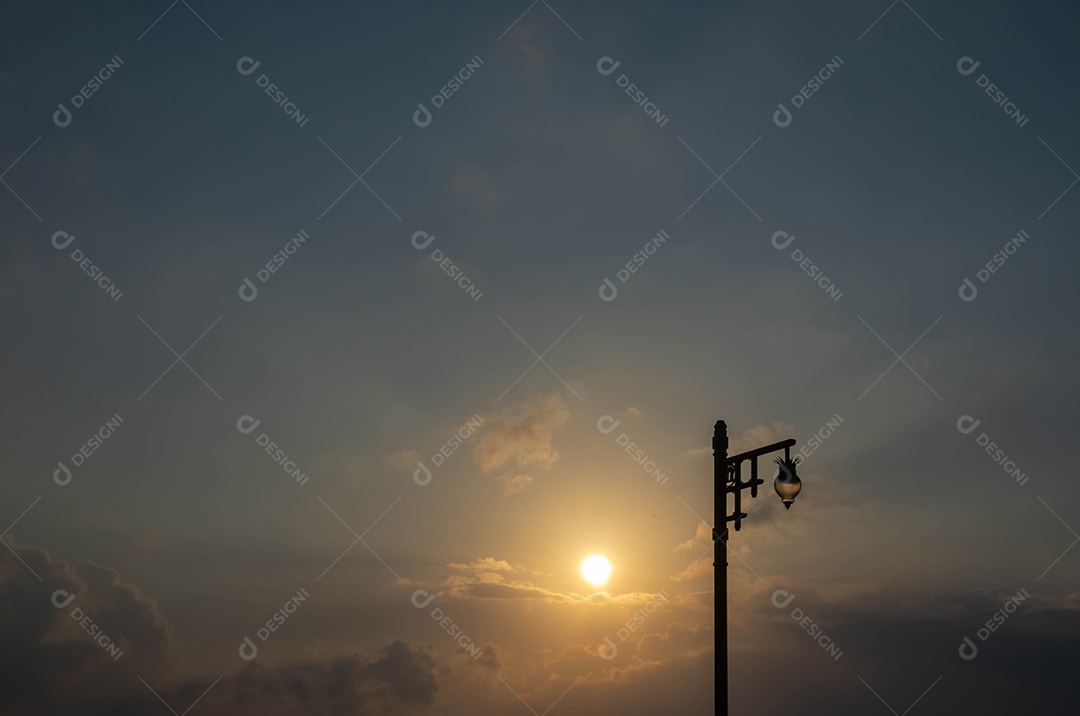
(52, 666)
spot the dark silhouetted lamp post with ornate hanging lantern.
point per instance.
(727, 475)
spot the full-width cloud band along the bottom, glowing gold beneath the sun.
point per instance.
(53, 667)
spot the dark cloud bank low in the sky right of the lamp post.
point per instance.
(901, 645)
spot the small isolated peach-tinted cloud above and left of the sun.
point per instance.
(522, 436)
